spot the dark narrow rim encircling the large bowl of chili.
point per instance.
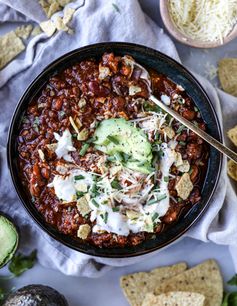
(105, 252)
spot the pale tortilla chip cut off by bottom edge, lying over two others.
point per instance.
(178, 298)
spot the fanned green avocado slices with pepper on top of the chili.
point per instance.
(118, 135)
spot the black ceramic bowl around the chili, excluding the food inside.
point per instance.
(150, 59)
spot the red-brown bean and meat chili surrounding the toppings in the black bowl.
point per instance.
(80, 91)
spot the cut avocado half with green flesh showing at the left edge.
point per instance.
(9, 240)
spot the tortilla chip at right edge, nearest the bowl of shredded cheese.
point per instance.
(227, 71)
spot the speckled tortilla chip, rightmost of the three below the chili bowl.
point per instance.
(205, 279)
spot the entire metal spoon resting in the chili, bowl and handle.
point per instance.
(209, 139)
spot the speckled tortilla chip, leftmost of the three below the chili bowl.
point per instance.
(136, 286)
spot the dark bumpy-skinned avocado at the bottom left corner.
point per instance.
(35, 295)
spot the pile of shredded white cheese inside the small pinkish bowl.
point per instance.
(204, 20)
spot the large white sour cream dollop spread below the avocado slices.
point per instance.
(105, 217)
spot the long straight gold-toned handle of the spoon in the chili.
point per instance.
(212, 141)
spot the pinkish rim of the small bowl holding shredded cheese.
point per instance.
(179, 36)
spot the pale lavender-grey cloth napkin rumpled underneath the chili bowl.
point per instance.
(97, 21)
